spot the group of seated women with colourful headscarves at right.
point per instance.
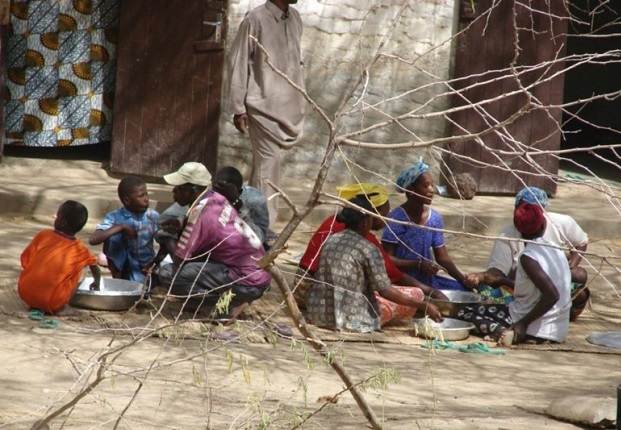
(348, 280)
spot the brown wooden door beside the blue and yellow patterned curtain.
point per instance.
(169, 80)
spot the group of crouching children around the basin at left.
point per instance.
(210, 241)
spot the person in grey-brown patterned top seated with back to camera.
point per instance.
(351, 290)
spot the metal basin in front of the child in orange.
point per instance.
(114, 295)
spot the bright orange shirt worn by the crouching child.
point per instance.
(52, 267)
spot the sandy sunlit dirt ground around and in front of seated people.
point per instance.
(179, 382)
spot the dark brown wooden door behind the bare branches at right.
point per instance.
(502, 96)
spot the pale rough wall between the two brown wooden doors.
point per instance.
(342, 38)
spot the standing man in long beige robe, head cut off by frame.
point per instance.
(264, 105)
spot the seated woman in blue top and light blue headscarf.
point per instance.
(415, 249)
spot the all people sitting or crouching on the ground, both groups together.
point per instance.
(212, 238)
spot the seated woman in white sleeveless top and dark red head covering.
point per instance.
(540, 311)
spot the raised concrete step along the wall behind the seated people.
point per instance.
(38, 186)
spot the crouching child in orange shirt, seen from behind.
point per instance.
(54, 260)
